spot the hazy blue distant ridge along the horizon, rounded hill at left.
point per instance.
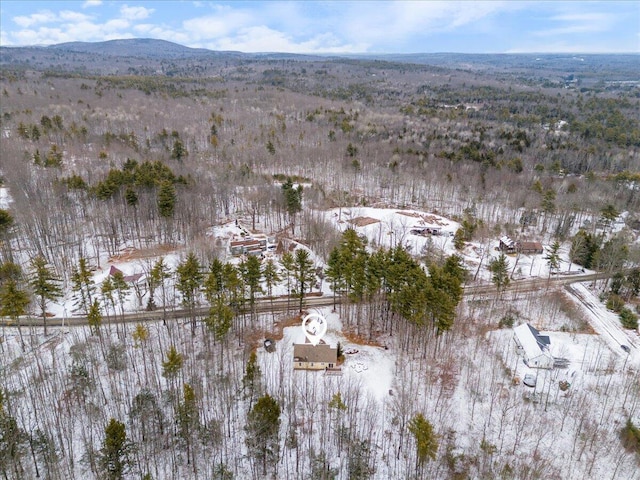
(148, 56)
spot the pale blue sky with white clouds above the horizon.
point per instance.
(334, 27)
